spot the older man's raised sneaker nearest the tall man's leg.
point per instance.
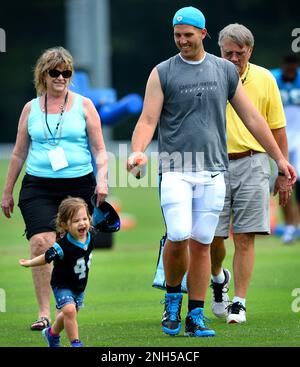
(220, 299)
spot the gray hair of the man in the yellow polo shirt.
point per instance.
(238, 34)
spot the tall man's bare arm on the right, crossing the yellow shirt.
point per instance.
(259, 128)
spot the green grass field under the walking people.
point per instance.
(121, 307)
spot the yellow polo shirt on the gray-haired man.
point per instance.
(261, 88)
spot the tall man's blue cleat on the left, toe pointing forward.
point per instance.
(171, 321)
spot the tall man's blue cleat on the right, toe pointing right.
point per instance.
(195, 326)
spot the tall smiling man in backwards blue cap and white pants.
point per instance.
(187, 95)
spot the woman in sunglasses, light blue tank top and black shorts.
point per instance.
(54, 135)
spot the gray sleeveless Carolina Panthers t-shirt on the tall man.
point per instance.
(192, 126)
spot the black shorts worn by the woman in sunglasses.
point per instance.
(40, 198)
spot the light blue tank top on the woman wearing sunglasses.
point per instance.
(74, 141)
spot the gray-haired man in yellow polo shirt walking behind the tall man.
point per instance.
(247, 178)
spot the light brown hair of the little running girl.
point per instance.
(67, 210)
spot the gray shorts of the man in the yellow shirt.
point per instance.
(247, 197)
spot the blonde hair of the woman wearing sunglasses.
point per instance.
(50, 59)
